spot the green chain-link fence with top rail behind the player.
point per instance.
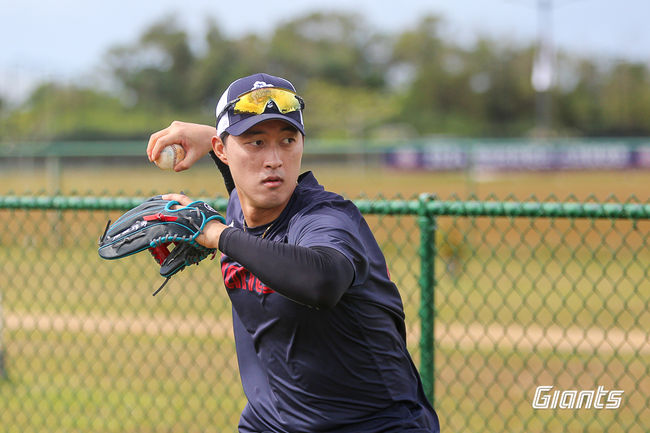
(523, 295)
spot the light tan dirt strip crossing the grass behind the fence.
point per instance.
(591, 340)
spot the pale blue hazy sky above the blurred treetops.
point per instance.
(66, 39)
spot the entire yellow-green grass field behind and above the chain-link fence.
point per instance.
(89, 349)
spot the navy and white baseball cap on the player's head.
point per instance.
(236, 122)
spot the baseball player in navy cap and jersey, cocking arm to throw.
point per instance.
(318, 324)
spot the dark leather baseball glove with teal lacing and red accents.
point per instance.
(154, 225)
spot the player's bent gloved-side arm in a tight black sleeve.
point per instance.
(317, 277)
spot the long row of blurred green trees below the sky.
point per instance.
(357, 84)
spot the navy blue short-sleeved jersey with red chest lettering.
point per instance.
(343, 369)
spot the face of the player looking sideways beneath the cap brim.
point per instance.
(265, 164)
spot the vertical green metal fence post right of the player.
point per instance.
(427, 251)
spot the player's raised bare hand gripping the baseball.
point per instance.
(195, 139)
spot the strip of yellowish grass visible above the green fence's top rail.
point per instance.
(350, 180)
